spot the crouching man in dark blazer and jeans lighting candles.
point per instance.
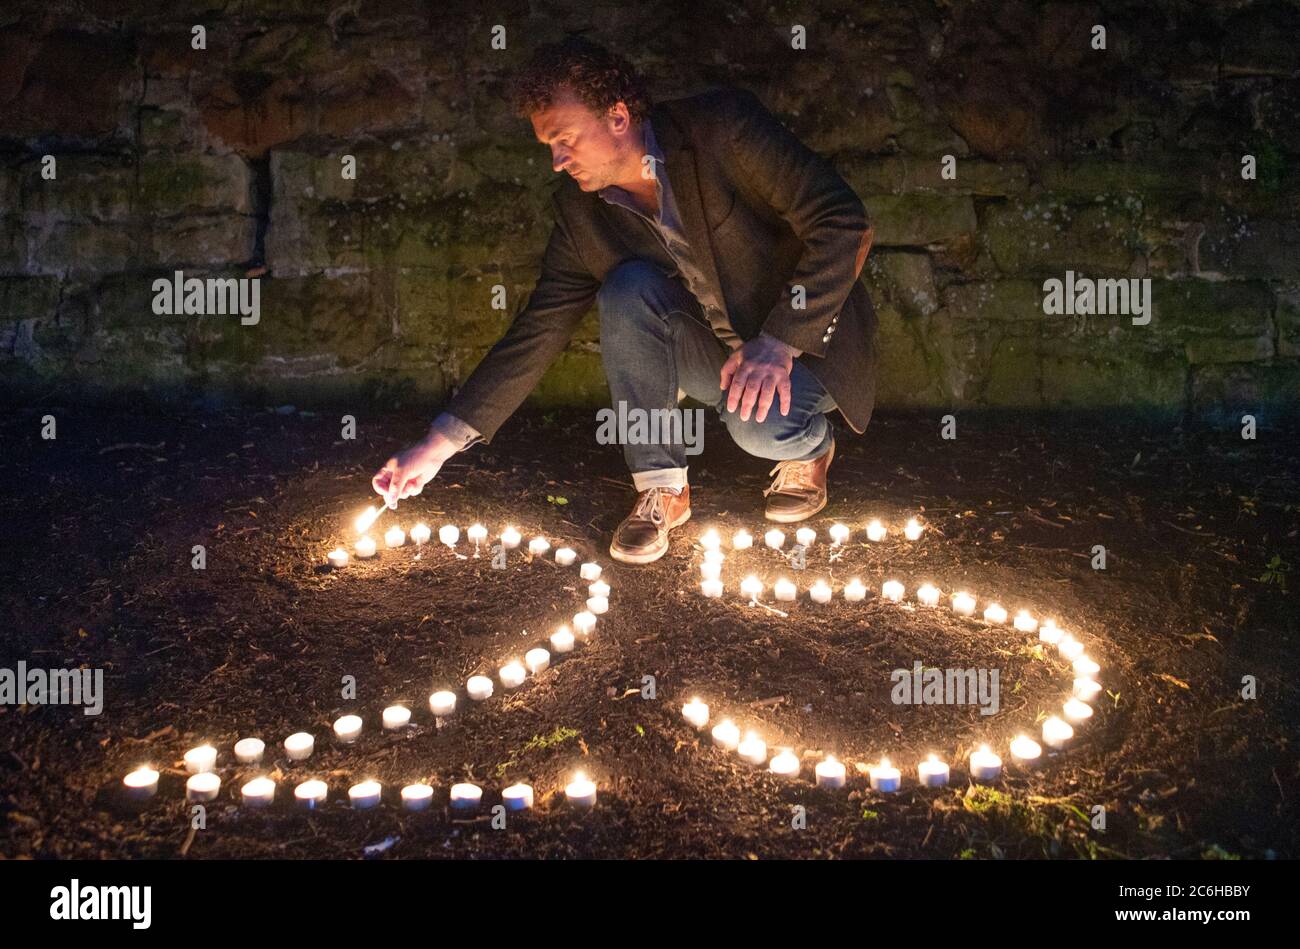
(723, 257)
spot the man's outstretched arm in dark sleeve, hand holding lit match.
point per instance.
(510, 371)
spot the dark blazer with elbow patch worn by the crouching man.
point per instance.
(762, 214)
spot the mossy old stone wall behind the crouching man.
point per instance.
(227, 161)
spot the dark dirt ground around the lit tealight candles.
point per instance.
(1201, 531)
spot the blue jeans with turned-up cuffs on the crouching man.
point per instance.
(656, 343)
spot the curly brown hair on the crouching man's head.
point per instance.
(596, 76)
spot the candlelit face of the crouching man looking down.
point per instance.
(597, 151)
